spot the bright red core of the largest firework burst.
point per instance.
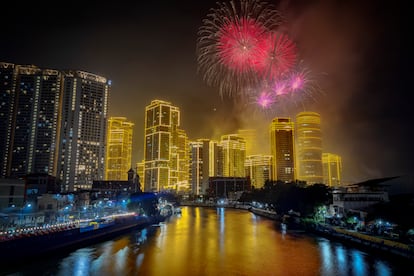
(239, 44)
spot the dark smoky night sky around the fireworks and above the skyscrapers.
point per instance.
(148, 50)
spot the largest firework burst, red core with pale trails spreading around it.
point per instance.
(232, 43)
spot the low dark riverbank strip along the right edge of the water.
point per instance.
(375, 244)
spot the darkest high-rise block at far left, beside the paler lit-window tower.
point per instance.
(29, 114)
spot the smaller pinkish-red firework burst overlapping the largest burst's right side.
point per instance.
(277, 55)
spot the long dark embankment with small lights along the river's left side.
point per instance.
(29, 245)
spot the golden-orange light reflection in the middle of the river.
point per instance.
(207, 241)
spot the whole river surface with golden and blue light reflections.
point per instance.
(210, 241)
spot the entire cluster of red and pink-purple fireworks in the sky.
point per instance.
(241, 51)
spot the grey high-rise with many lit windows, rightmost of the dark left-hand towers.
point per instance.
(83, 130)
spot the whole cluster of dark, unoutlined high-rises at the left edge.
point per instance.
(53, 122)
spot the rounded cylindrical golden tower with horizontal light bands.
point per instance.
(309, 147)
